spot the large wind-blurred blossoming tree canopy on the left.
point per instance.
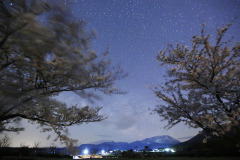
(45, 50)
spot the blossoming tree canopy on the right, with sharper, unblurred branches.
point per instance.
(203, 89)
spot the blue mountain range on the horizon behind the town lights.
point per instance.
(153, 143)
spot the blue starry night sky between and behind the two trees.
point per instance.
(134, 31)
